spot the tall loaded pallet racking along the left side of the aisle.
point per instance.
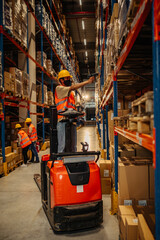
(52, 53)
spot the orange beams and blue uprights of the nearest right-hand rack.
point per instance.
(151, 143)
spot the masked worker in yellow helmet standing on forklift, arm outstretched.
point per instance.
(64, 99)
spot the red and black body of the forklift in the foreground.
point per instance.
(73, 198)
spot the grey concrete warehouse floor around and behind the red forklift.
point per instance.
(21, 213)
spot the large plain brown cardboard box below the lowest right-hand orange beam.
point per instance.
(133, 181)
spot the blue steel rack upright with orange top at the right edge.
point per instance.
(156, 87)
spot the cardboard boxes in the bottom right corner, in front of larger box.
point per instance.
(136, 222)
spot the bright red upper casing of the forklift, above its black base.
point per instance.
(64, 193)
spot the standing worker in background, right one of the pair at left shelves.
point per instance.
(32, 133)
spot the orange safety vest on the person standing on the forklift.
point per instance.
(63, 104)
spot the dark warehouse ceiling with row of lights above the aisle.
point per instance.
(80, 18)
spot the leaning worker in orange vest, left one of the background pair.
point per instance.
(23, 141)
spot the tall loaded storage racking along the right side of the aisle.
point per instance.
(135, 71)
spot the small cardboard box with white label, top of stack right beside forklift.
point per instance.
(105, 168)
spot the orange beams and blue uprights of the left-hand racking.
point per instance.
(4, 34)
